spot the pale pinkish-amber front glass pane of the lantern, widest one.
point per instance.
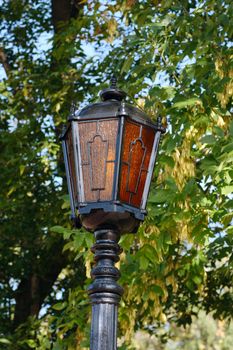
(98, 154)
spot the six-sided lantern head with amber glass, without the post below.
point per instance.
(110, 150)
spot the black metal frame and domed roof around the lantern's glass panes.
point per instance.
(100, 111)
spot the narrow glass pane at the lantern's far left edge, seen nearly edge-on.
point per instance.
(70, 153)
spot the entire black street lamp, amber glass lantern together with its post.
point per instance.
(109, 151)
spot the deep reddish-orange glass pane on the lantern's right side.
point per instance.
(136, 152)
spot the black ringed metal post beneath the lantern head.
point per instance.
(104, 292)
